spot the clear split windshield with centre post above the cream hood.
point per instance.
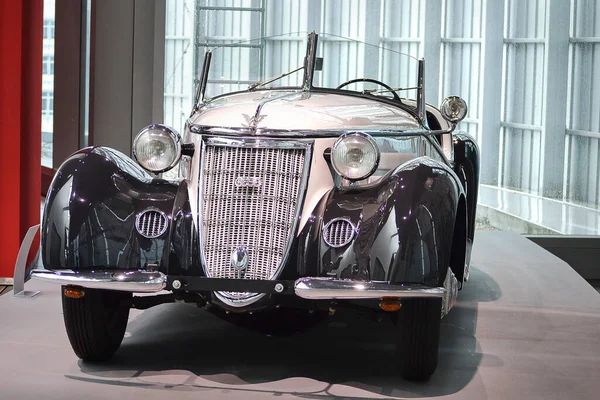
(281, 61)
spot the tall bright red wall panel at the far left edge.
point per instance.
(20, 110)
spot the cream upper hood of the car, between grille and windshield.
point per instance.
(298, 110)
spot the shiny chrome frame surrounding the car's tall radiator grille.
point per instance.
(307, 145)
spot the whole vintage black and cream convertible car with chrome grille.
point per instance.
(289, 194)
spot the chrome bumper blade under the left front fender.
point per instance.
(125, 280)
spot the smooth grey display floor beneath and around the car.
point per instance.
(526, 327)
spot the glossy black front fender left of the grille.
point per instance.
(90, 212)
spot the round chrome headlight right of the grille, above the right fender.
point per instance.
(355, 156)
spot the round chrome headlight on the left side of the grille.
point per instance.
(157, 148)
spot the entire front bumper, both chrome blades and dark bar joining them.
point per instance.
(306, 288)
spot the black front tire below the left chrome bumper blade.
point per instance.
(96, 322)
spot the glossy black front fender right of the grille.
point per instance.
(404, 223)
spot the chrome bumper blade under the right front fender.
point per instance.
(331, 288)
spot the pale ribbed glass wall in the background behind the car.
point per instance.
(528, 70)
